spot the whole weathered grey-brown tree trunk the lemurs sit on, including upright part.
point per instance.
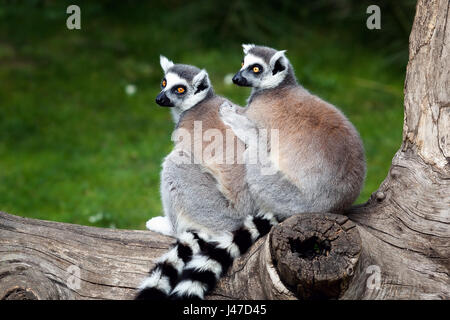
(396, 246)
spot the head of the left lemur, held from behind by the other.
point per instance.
(183, 86)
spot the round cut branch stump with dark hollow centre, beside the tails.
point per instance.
(316, 254)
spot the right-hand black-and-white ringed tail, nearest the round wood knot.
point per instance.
(202, 273)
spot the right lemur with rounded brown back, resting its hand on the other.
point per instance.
(319, 160)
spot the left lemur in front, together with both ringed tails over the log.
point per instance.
(206, 202)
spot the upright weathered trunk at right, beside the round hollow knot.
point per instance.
(405, 226)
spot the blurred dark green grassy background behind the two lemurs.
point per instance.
(81, 139)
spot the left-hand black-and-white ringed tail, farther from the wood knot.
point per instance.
(168, 269)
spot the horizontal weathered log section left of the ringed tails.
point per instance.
(39, 259)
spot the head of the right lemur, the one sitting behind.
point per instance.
(264, 68)
